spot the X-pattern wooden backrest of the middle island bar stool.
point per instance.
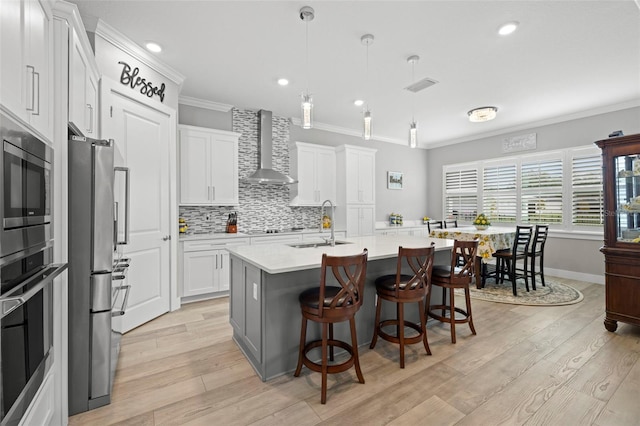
(420, 261)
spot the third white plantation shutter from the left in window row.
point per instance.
(541, 191)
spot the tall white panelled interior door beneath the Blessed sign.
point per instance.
(143, 136)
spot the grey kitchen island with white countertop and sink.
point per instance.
(267, 279)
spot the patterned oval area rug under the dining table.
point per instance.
(553, 294)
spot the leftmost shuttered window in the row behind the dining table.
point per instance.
(461, 193)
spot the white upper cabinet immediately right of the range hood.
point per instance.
(314, 166)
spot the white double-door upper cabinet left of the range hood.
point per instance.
(208, 166)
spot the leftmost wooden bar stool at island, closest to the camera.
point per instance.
(332, 304)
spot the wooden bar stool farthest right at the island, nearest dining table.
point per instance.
(457, 275)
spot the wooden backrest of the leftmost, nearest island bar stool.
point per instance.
(350, 273)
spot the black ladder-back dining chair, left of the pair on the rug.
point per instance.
(507, 260)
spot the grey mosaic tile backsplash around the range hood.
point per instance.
(261, 206)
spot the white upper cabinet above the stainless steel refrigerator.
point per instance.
(83, 84)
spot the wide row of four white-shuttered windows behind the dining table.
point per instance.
(562, 188)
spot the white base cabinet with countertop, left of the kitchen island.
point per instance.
(205, 266)
